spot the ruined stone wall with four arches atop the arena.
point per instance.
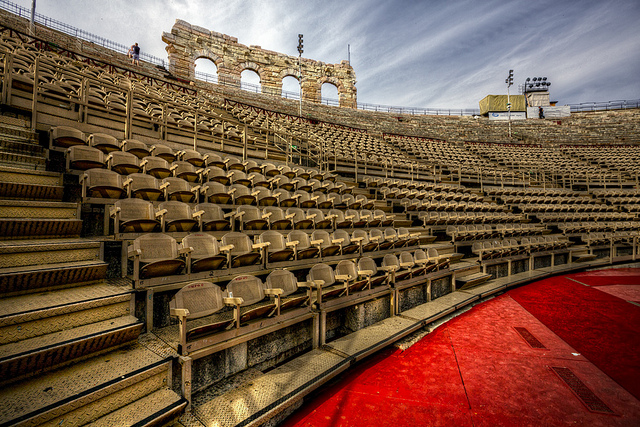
(186, 43)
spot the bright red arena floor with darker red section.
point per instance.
(561, 351)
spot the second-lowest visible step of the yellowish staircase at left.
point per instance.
(89, 390)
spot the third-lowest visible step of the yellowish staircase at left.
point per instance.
(45, 352)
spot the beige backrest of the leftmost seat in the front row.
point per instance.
(200, 298)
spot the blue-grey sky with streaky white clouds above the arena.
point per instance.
(429, 53)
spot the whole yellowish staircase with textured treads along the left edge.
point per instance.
(69, 350)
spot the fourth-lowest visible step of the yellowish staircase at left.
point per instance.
(29, 316)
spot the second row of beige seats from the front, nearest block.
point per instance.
(160, 255)
